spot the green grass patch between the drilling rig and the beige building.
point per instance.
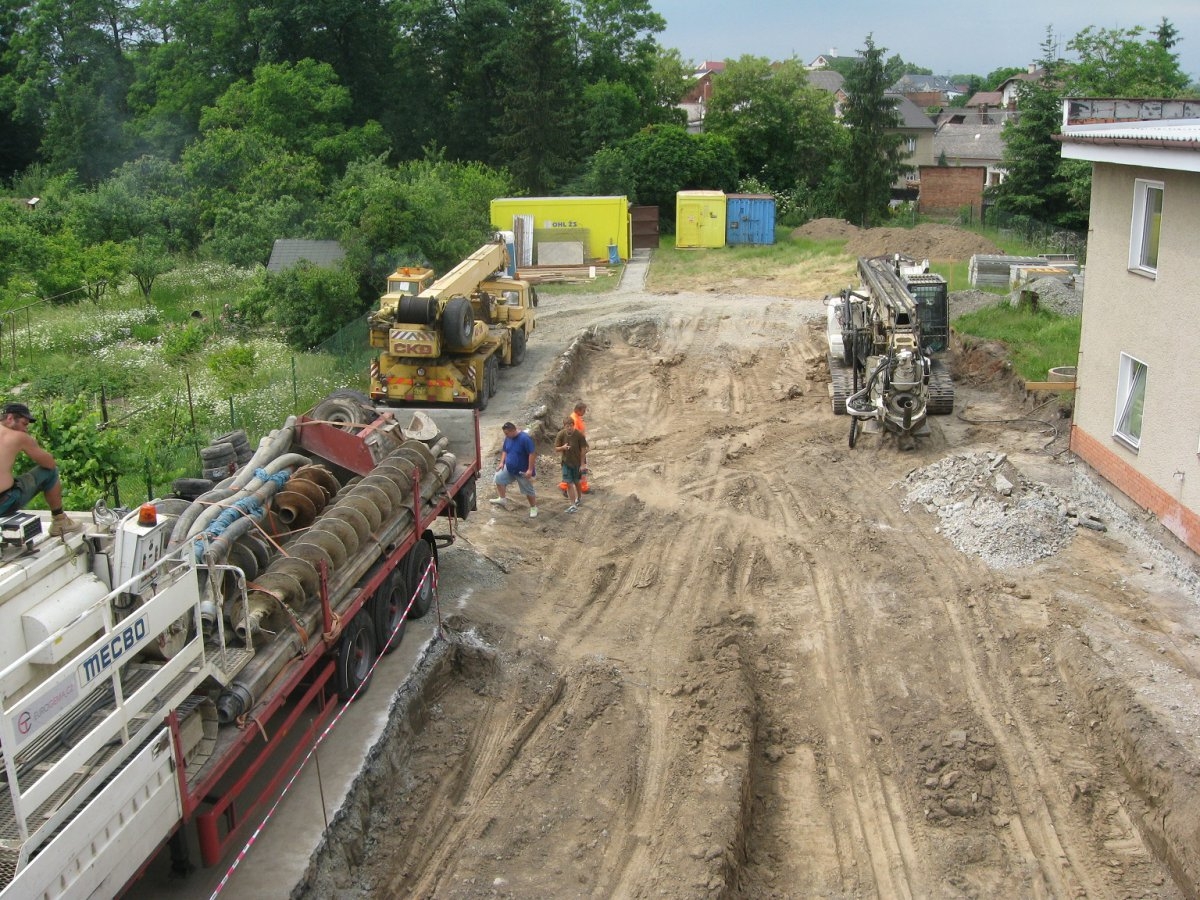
(1036, 341)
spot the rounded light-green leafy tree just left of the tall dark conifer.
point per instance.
(782, 128)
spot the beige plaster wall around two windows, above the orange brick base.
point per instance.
(1157, 321)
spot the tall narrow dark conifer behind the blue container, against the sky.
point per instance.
(875, 154)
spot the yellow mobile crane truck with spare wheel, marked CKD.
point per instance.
(446, 343)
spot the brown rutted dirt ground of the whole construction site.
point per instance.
(754, 667)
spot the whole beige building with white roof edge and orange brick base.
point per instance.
(1137, 422)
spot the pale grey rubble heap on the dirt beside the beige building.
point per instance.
(988, 509)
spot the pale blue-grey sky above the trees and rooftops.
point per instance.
(950, 39)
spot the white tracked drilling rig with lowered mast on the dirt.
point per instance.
(884, 341)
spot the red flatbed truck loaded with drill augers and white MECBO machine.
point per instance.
(165, 669)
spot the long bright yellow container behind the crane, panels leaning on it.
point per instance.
(602, 225)
